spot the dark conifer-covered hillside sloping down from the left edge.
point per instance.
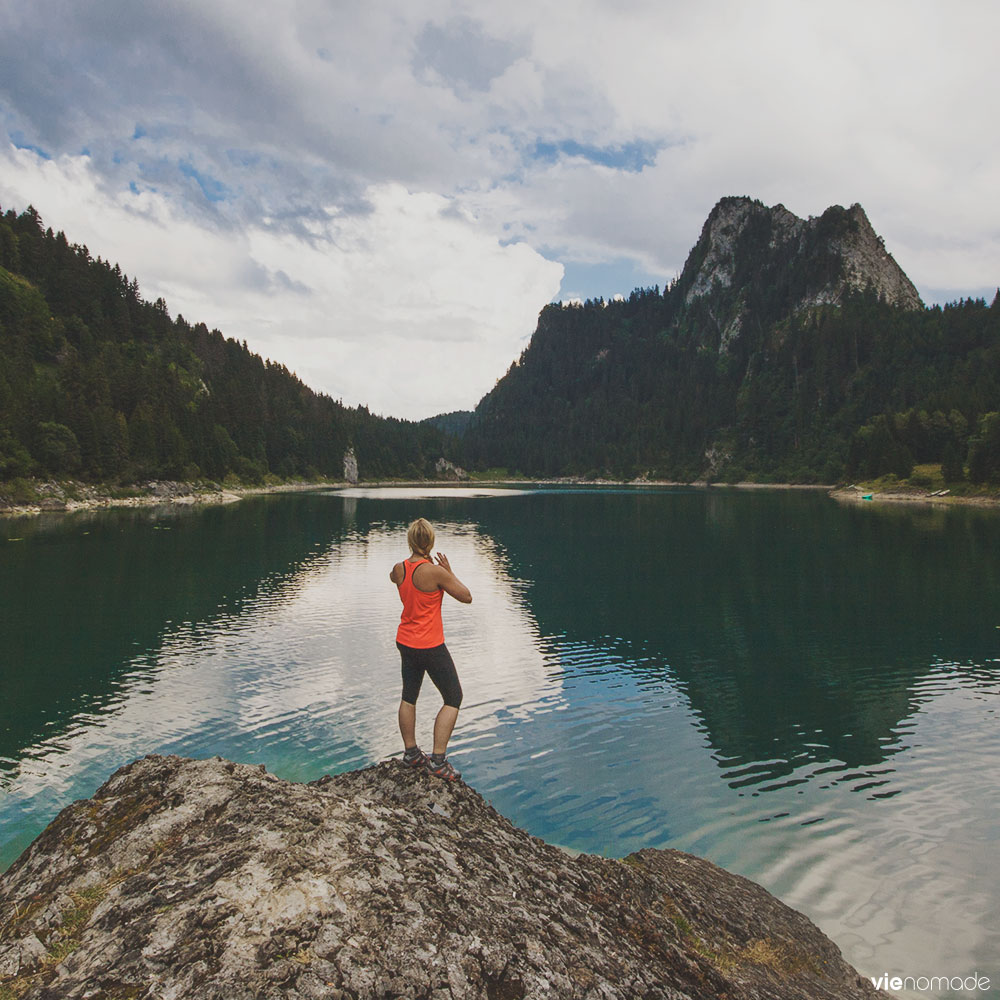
(97, 383)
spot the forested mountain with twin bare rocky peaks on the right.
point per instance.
(772, 358)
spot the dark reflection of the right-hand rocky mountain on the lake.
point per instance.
(792, 634)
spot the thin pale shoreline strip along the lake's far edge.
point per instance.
(66, 497)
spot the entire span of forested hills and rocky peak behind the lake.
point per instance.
(787, 350)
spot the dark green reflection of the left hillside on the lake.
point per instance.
(87, 598)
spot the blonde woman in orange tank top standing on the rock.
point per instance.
(422, 585)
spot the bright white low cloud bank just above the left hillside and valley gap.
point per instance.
(411, 308)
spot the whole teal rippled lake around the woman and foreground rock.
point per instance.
(803, 692)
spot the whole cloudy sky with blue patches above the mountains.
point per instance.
(383, 195)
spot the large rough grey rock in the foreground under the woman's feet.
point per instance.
(208, 879)
